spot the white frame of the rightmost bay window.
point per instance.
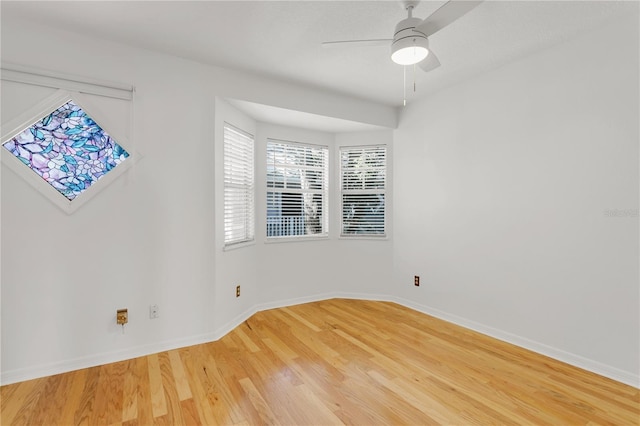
(384, 191)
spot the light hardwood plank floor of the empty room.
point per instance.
(325, 363)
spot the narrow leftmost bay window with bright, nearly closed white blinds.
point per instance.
(238, 186)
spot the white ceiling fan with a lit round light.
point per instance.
(410, 42)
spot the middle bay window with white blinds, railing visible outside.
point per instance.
(297, 189)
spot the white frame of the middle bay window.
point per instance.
(325, 191)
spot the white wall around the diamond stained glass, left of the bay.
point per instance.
(147, 238)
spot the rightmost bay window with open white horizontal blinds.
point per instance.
(363, 173)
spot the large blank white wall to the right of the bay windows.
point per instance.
(501, 188)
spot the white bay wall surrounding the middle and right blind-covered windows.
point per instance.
(289, 271)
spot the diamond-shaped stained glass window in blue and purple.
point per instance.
(68, 149)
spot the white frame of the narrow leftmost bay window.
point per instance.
(249, 187)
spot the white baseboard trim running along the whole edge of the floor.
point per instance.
(109, 357)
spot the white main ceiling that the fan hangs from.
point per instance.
(281, 39)
